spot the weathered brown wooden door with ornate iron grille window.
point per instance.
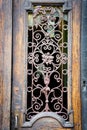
(46, 65)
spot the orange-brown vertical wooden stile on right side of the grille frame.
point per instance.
(76, 85)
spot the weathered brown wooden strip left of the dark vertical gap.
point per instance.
(5, 62)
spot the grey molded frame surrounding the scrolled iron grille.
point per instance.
(29, 8)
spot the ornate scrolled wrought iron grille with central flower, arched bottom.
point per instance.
(47, 61)
